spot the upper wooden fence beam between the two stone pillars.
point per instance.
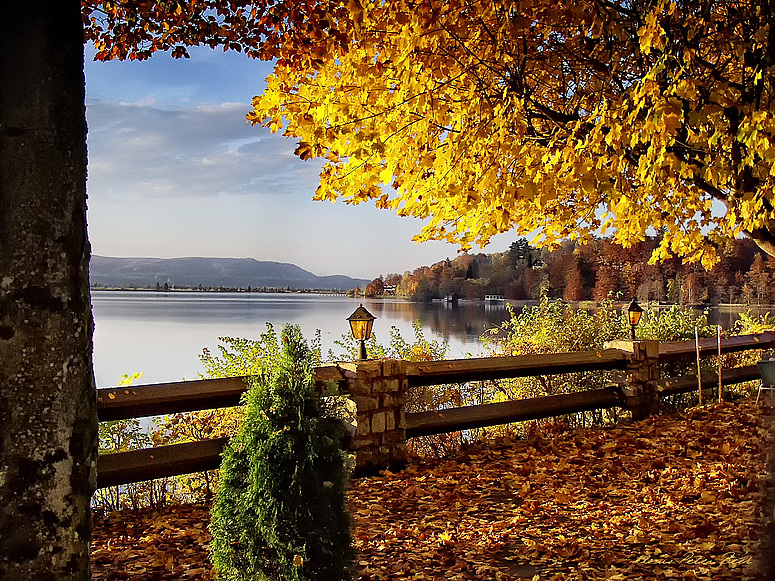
(484, 368)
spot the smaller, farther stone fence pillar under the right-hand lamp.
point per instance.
(639, 381)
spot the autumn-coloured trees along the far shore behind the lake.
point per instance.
(596, 271)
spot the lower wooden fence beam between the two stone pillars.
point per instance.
(470, 417)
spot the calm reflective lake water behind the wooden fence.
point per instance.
(162, 334)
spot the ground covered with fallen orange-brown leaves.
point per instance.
(673, 497)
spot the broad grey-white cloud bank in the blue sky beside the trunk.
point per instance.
(141, 151)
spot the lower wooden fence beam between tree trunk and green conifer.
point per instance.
(159, 462)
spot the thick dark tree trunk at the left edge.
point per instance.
(48, 425)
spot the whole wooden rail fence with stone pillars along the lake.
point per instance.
(379, 389)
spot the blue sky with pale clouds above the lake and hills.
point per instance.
(174, 170)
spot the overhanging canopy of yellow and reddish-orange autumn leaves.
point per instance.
(562, 119)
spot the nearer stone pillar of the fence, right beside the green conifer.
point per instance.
(379, 389)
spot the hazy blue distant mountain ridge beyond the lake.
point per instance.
(211, 272)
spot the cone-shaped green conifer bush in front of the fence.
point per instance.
(280, 511)
